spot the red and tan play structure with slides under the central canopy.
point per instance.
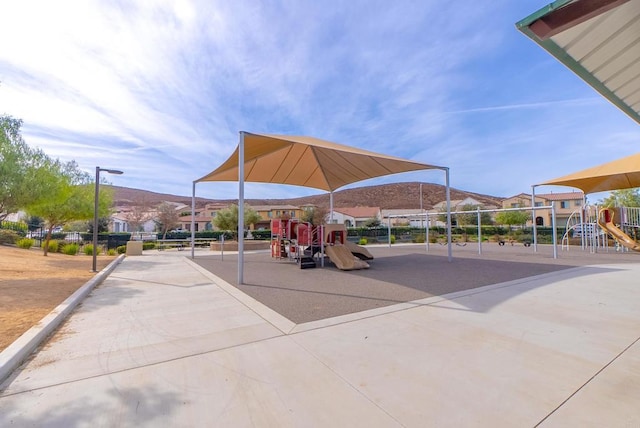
(301, 242)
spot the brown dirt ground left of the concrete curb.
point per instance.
(32, 285)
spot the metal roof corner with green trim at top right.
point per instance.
(599, 40)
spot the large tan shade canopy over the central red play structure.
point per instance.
(308, 162)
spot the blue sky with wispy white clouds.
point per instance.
(161, 89)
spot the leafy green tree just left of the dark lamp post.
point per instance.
(67, 195)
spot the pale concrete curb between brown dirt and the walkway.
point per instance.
(12, 356)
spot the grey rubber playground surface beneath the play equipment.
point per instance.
(398, 274)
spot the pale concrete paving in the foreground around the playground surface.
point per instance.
(163, 342)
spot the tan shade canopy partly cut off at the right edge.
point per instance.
(619, 174)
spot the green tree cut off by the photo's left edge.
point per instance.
(20, 165)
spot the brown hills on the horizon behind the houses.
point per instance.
(385, 196)
